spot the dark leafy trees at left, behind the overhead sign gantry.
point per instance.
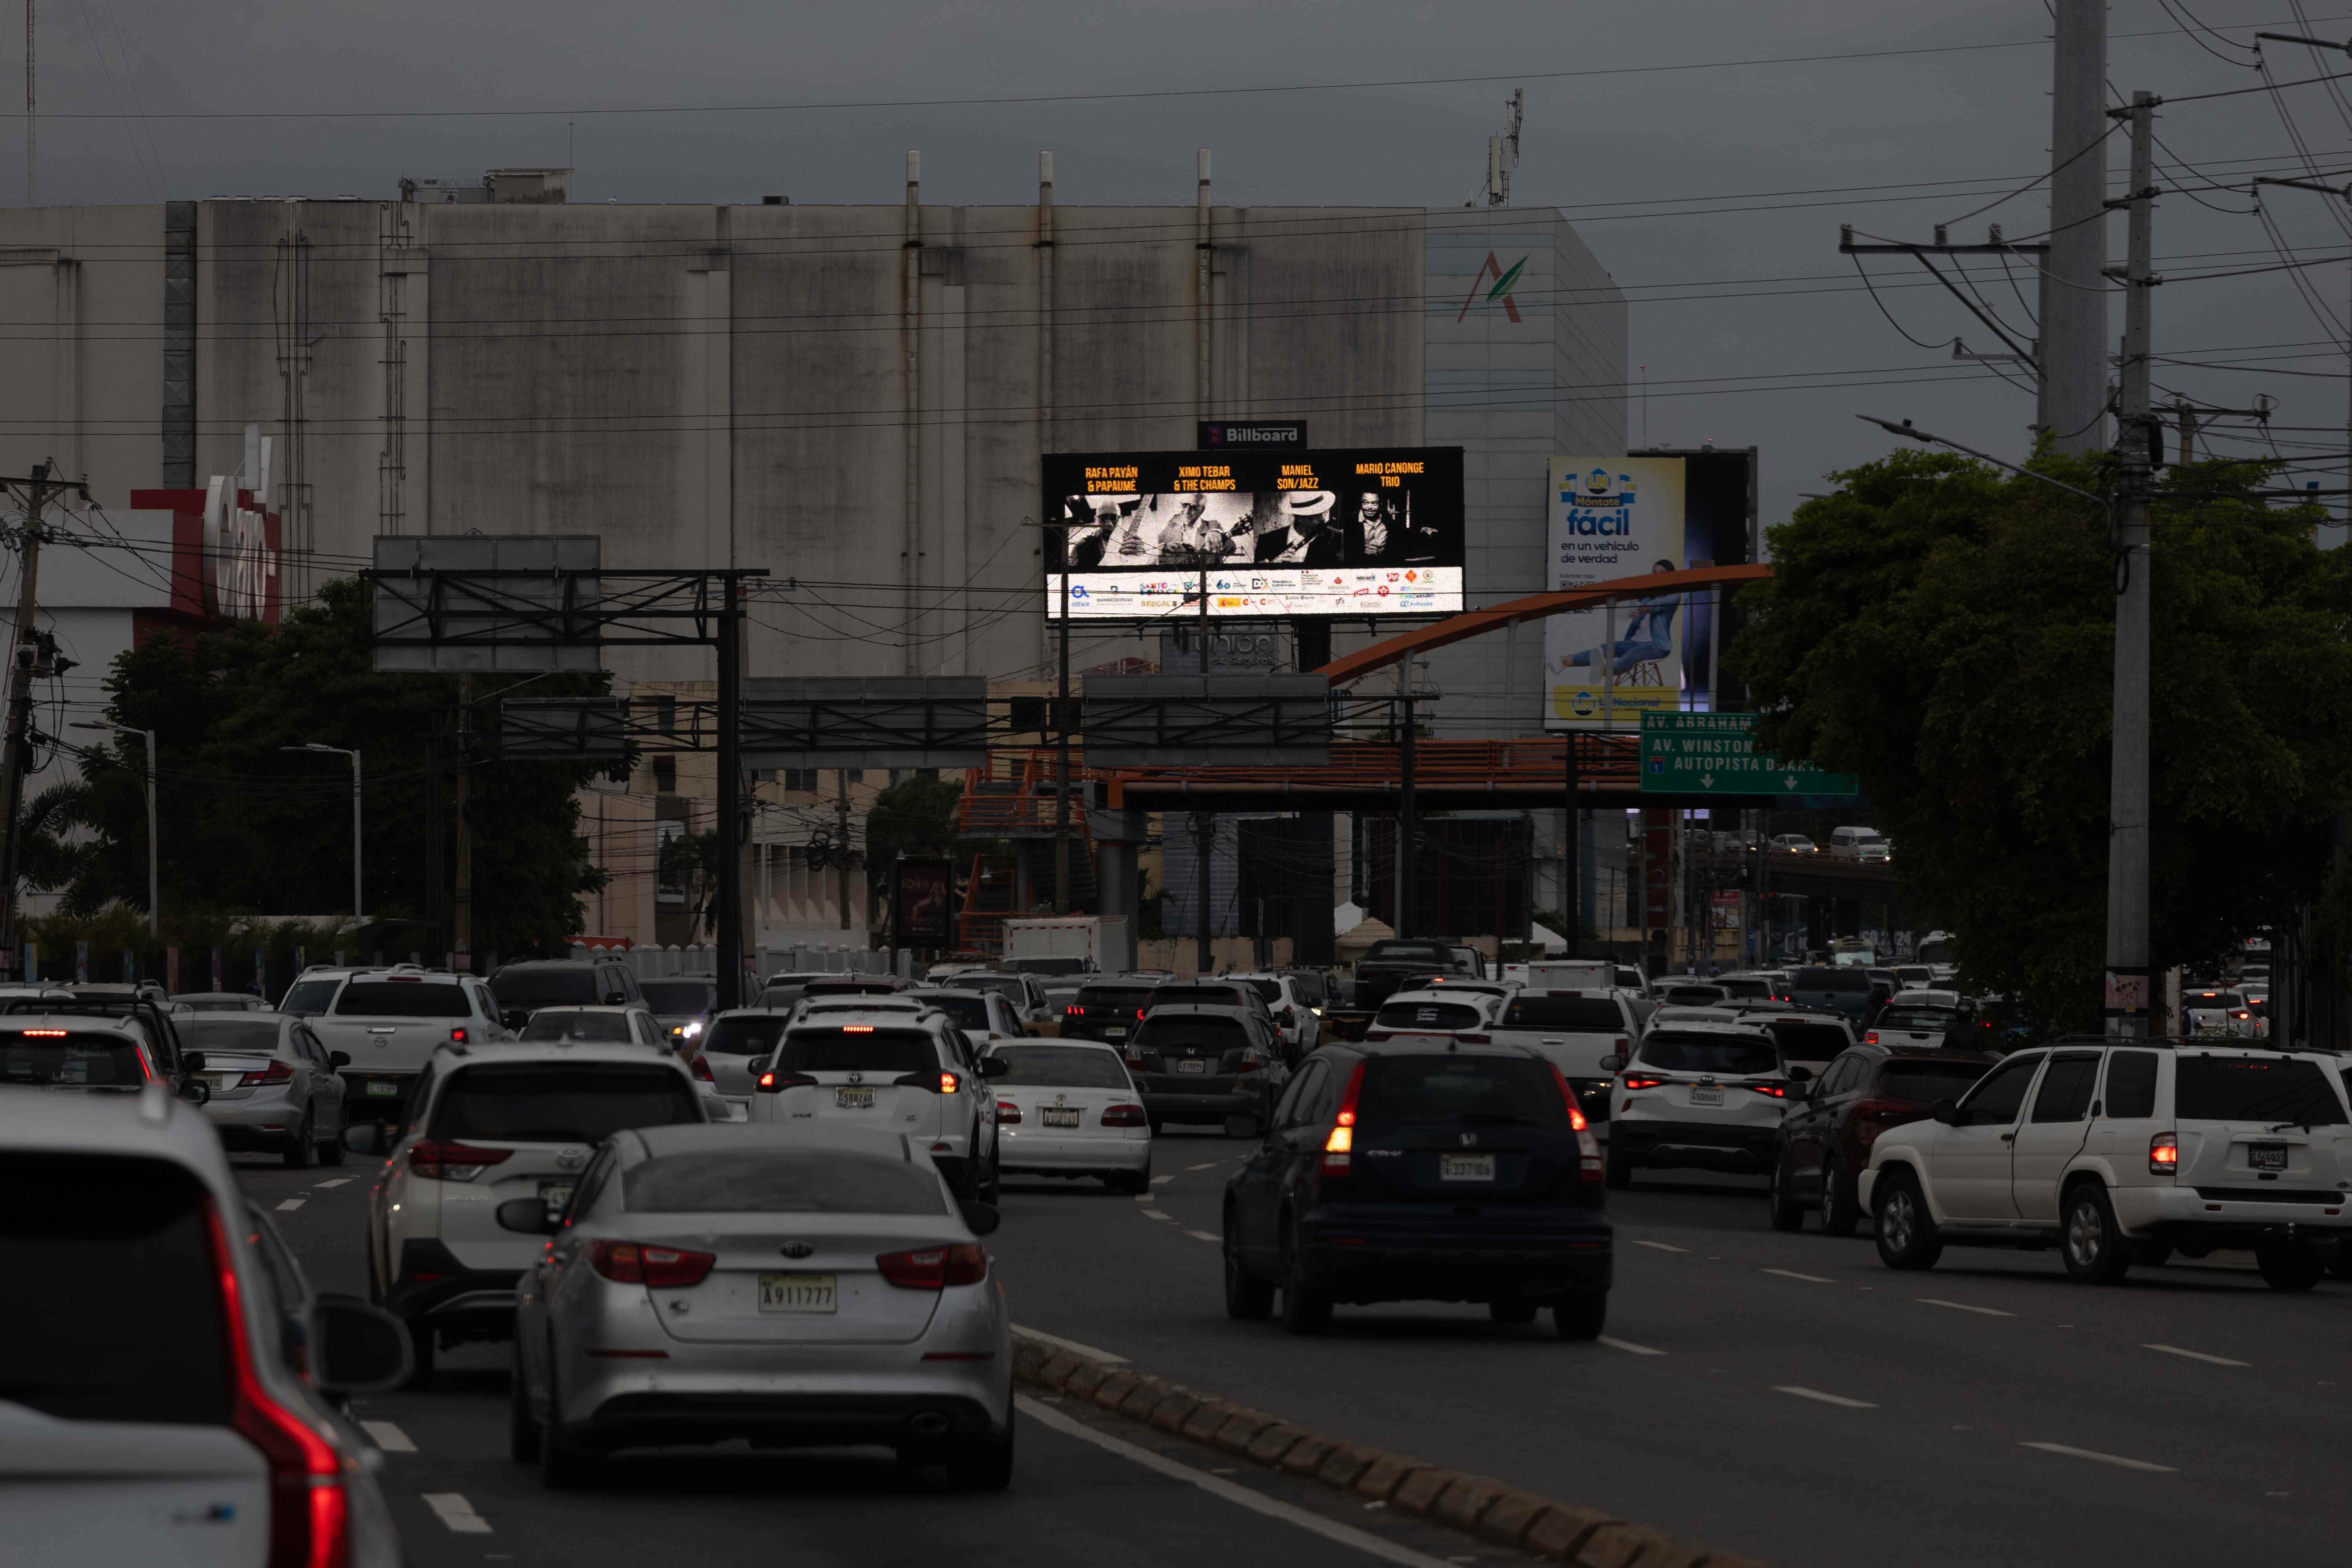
(255, 829)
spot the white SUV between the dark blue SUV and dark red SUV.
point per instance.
(1704, 1097)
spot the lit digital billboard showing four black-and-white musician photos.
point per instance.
(1349, 532)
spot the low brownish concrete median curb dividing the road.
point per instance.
(1476, 1506)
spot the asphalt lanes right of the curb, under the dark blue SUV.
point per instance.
(1770, 1393)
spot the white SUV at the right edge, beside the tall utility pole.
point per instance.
(2125, 1153)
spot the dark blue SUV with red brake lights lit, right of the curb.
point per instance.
(1405, 1172)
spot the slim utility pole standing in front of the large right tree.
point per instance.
(2127, 1003)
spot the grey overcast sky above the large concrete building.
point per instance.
(1713, 194)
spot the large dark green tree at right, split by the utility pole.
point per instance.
(1946, 634)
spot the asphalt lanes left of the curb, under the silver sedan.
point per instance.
(1085, 1489)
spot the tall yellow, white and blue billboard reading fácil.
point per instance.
(1615, 518)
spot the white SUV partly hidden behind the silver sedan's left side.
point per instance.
(493, 1125)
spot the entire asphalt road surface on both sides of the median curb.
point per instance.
(1775, 1395)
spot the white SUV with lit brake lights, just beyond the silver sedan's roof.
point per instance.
(890, 1071)
